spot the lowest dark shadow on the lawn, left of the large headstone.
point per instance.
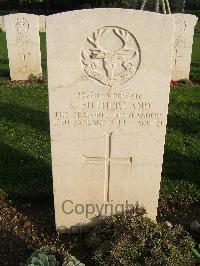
(22, 175)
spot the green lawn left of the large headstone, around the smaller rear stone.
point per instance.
(25, 138)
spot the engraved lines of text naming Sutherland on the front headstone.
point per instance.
(104, 109)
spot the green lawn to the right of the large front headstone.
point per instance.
(181, 166)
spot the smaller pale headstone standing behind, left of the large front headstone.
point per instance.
(23, 42)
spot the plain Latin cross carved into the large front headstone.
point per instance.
(107, 160)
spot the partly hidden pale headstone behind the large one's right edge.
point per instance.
(184, 31)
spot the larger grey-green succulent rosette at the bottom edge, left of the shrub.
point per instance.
(42, 257)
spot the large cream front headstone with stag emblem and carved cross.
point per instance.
(109, 76)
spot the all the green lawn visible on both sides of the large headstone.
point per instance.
(25, 138)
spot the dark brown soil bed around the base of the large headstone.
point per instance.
(29, 224)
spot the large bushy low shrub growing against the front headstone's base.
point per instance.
(133, 239)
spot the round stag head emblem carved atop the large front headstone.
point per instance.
(111, 67)
